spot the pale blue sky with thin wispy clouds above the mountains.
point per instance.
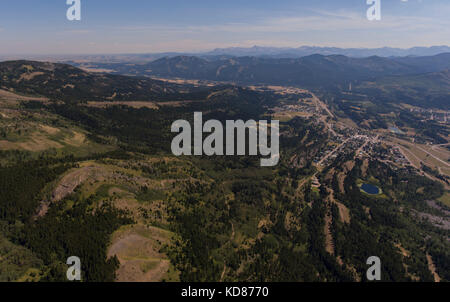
(151, 26)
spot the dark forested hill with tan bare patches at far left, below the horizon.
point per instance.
(66, 82)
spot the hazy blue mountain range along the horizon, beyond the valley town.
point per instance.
(415, 80)
